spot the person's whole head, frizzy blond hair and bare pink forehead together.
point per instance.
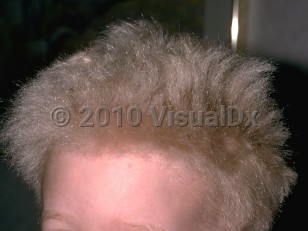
(137, 132)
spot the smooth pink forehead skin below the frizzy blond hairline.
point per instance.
(118, 193)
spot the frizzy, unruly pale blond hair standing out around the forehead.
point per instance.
(139, 64)
